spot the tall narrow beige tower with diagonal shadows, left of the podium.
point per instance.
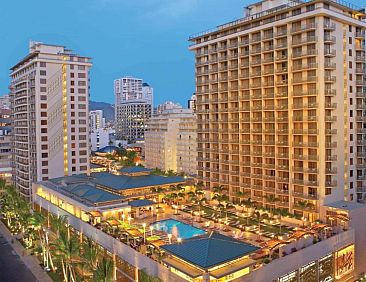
(49, 102)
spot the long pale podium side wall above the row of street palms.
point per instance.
(123, 251)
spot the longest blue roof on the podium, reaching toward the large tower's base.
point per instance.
(123, 182)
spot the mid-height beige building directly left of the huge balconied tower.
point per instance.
(170, 141)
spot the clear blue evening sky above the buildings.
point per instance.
(147, 39)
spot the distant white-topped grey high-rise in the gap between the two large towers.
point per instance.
(134, 105)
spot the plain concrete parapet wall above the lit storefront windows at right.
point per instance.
(289, 263)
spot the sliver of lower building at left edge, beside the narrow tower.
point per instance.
(5, 145)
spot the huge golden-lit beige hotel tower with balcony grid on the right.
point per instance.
(280, 104)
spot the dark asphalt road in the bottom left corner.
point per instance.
(12, 268)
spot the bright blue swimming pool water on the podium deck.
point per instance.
(178, 228)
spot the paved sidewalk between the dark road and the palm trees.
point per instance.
(29, 261)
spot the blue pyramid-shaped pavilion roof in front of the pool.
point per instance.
(210, 250)
